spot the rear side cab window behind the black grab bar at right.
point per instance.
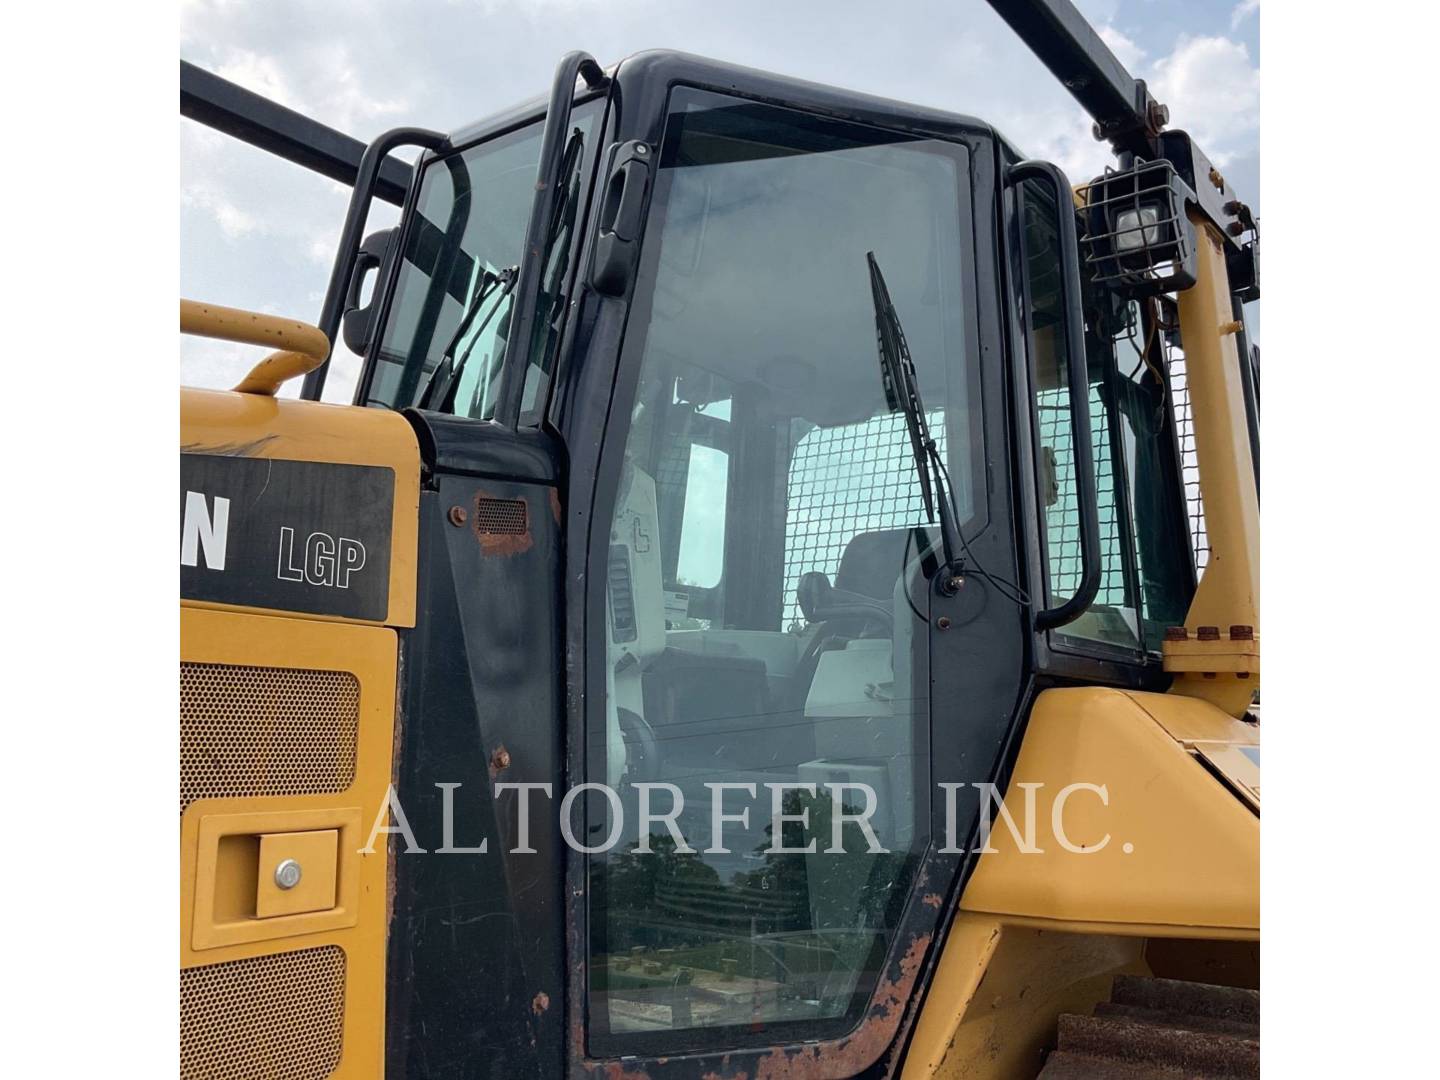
(1144, 584)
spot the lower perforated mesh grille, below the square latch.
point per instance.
(276, 1017)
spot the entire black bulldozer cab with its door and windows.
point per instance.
(685, 647)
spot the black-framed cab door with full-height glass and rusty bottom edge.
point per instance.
(758, 607)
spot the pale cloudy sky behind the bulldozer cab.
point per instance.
(258, 233)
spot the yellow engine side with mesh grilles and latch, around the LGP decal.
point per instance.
(270, 974)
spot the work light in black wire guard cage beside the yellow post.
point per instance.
(1138, 238)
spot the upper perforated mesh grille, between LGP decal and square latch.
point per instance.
(250, 731)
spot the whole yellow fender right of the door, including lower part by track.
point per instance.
(1045, 934)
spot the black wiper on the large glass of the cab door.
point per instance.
(904, 395)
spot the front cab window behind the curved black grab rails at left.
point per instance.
(447, 332)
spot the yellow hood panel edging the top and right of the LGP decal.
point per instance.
(256, 427)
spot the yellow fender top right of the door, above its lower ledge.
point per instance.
(1194, 860)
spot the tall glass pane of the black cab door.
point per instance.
(768, 568)
